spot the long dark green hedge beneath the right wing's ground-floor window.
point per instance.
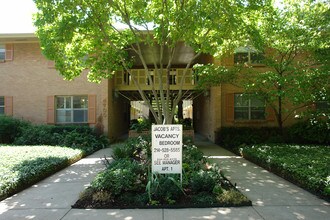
(311, 131)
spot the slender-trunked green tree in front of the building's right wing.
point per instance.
(294, 37)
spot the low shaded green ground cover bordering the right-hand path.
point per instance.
(306, 166)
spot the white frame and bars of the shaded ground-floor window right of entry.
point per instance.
(249, 108)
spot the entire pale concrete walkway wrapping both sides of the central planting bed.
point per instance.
(272, 197)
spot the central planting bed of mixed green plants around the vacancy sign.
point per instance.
(128, 183)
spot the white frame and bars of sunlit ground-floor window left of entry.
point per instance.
(71, 109)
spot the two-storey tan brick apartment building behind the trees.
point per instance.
(32, 89)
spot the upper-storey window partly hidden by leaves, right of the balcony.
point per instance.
(248, 55)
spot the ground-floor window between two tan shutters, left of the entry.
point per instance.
(71, 109)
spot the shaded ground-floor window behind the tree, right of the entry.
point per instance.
(248, 107)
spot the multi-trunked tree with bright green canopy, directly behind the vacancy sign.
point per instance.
(84, 35)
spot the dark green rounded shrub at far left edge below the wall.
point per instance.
(10, 128)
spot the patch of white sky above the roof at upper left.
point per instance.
(16, 16)
